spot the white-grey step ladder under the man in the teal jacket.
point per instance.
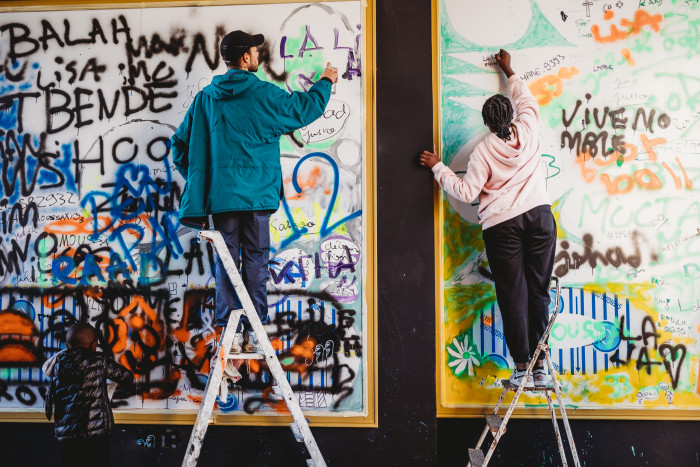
(300, 427)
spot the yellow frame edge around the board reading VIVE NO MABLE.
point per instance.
(443, 411)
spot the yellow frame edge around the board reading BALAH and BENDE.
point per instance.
(187, 418)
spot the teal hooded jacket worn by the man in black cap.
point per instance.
(227, 147)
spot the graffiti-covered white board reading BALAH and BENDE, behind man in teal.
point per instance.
(89, 203)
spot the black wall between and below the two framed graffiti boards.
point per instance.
(408, 433)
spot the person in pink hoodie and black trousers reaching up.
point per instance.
(519, 230)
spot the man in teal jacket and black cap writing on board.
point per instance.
(227, 149)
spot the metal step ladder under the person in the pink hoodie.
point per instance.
(497, 426)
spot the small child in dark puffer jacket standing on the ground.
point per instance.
(83, 417)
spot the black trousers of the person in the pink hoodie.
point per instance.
(521, 257)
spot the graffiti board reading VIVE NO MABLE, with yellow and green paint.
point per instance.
(619, 134)
